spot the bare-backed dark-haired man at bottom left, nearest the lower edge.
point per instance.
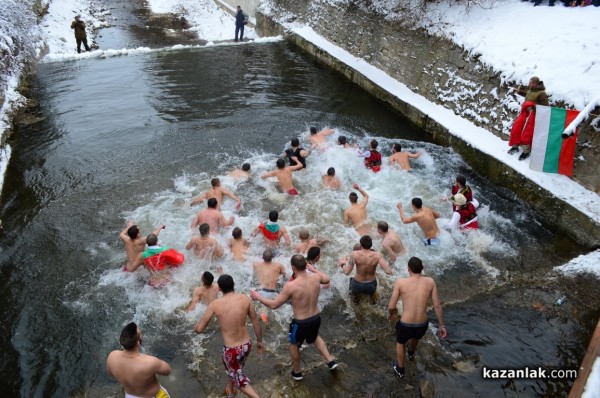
(134, 370)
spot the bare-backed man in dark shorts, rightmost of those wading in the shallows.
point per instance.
(415, 292)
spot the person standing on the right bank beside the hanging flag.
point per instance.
(521, 133)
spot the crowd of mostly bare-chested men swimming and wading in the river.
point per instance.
(303, 287)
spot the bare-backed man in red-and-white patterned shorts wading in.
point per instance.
(231, 311)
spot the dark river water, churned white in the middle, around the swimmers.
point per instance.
(136, 137)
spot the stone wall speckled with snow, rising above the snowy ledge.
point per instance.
(433, 67)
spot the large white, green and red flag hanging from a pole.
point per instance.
(551, 153)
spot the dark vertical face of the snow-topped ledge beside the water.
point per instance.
(555, 213)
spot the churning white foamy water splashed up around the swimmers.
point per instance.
(317, 209)
